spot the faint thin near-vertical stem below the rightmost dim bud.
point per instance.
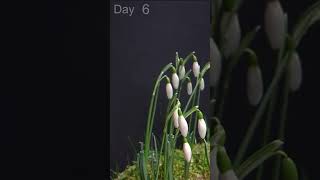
(283, 117)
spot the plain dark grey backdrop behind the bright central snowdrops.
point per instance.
(140, 46)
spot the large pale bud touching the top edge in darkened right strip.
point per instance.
(275, 24)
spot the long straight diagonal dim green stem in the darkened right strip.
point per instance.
(257, 117)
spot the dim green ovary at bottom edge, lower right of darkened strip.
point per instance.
(288, 169)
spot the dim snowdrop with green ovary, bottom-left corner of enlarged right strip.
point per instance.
(224, 165)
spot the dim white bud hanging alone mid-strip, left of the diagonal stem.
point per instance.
(254, 85)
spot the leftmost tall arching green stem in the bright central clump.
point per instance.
(151, 112)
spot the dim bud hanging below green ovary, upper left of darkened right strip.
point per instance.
(231, 33)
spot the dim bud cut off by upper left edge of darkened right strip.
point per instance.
(215, 60)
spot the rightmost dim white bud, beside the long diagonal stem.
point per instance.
(295, 72)
